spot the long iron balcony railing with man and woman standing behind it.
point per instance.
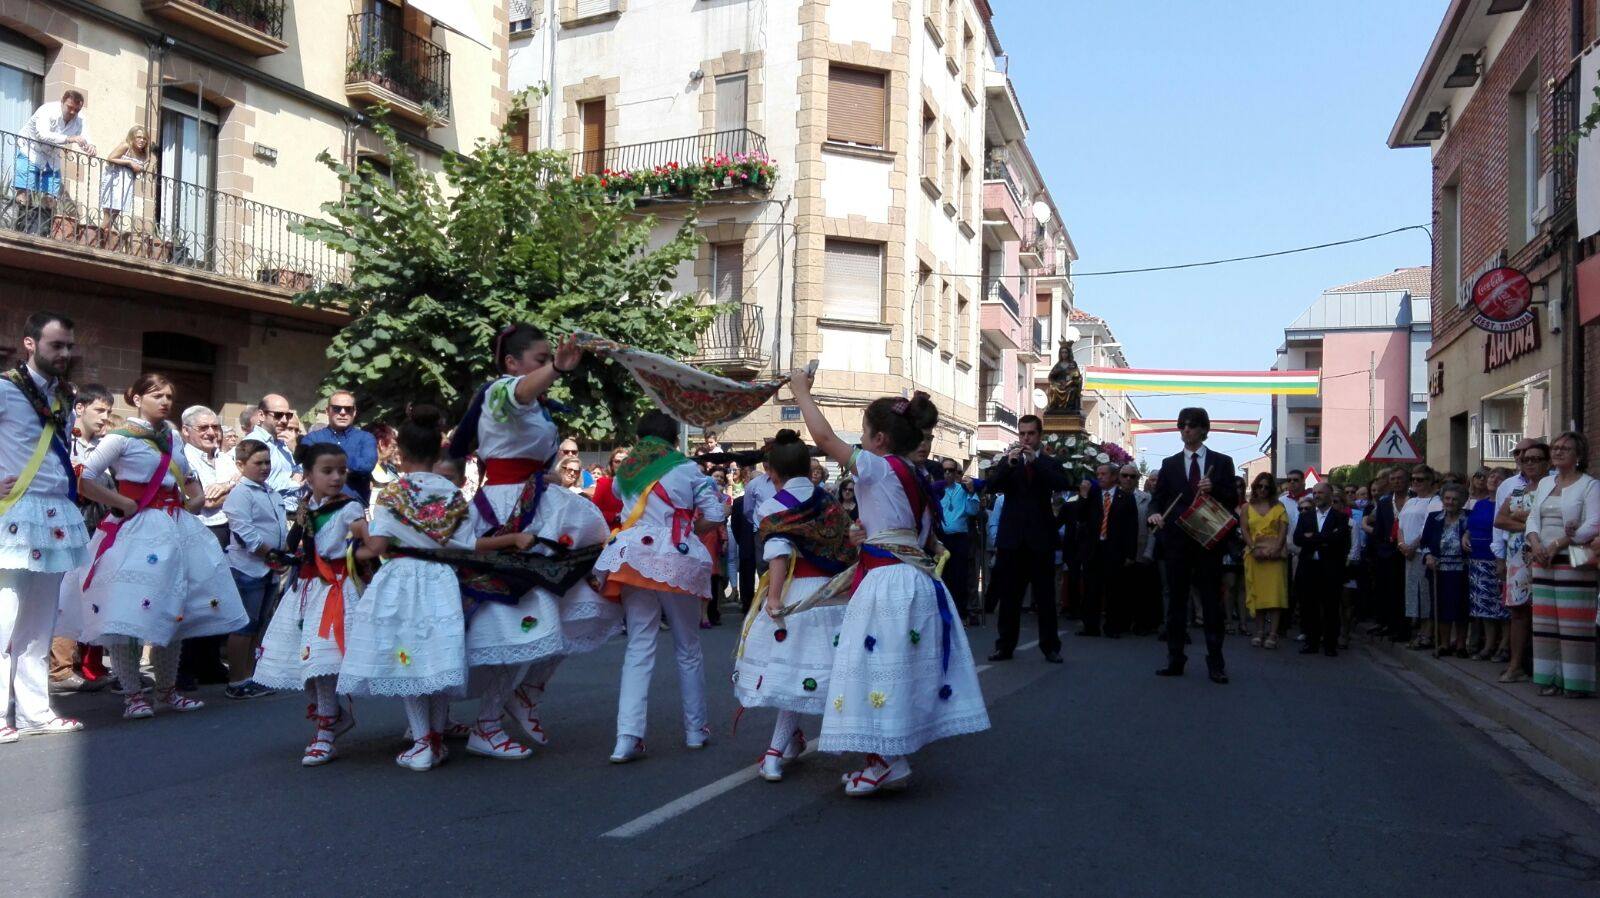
(154, 218)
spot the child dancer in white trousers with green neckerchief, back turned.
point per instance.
(655, 567)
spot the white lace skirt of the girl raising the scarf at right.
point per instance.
(890, 692)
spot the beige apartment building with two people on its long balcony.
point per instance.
(191, 267)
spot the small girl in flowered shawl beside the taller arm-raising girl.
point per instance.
(785, 660)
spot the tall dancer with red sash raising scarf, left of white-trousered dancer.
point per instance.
(516, 643)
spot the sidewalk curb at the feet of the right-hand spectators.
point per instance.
(1567, 745)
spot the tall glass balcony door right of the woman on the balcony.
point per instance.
(188, 185)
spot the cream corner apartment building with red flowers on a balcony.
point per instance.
(870, 249)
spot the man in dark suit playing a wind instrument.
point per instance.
(1026, 540)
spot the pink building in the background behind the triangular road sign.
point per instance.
(1370, 343)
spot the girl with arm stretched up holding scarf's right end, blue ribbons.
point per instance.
(903, 673)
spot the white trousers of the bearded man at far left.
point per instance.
(28, 620)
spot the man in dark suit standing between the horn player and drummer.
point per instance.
(1111, 531)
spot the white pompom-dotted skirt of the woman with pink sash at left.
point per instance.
(162, 582)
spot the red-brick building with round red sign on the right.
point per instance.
(1494, 102)
